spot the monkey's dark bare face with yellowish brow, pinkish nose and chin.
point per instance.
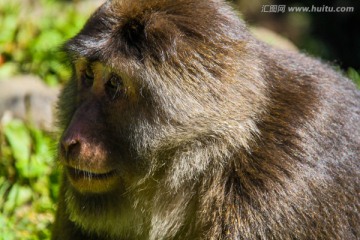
(89, 149)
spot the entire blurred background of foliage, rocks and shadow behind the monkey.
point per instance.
(32, 71)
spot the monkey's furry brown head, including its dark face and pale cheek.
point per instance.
(159, 90)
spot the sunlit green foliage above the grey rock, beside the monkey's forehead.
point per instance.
(31, 35)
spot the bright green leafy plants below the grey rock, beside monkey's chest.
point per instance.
(29, 182)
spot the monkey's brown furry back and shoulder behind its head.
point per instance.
(301, 179)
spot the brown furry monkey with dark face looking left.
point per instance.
(178, 124)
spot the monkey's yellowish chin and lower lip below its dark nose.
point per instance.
(92, 183)
